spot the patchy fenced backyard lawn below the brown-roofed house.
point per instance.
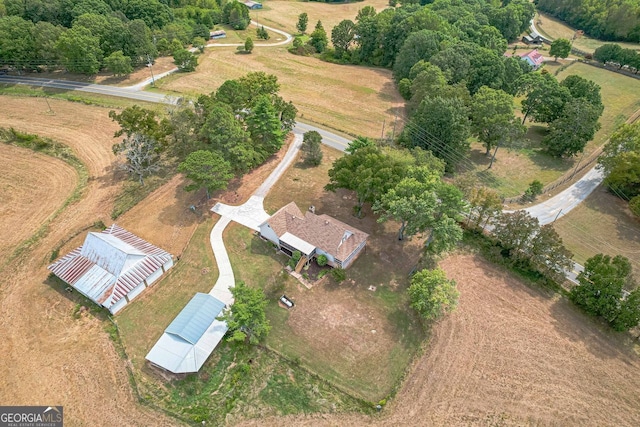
(359, 340)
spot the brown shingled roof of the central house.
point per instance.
(329, 234)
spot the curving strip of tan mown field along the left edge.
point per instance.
(48, 357)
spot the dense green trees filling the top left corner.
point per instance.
(88, 35)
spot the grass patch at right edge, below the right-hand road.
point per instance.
(601, 224)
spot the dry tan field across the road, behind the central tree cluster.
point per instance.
(343, 97)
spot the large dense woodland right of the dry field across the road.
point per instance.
(450, 67)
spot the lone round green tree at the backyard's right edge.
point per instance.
(432, 295)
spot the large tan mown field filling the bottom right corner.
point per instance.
(509, 356)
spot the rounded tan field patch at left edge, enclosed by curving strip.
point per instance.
(32, 187)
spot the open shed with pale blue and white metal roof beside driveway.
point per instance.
(192, 336)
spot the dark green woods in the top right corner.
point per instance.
(605, 20)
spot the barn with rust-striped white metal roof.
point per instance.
(113, 267)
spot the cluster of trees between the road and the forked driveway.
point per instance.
(221, 135)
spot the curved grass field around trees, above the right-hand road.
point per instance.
(515, 169)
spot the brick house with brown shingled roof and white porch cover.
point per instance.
(314, 235)
